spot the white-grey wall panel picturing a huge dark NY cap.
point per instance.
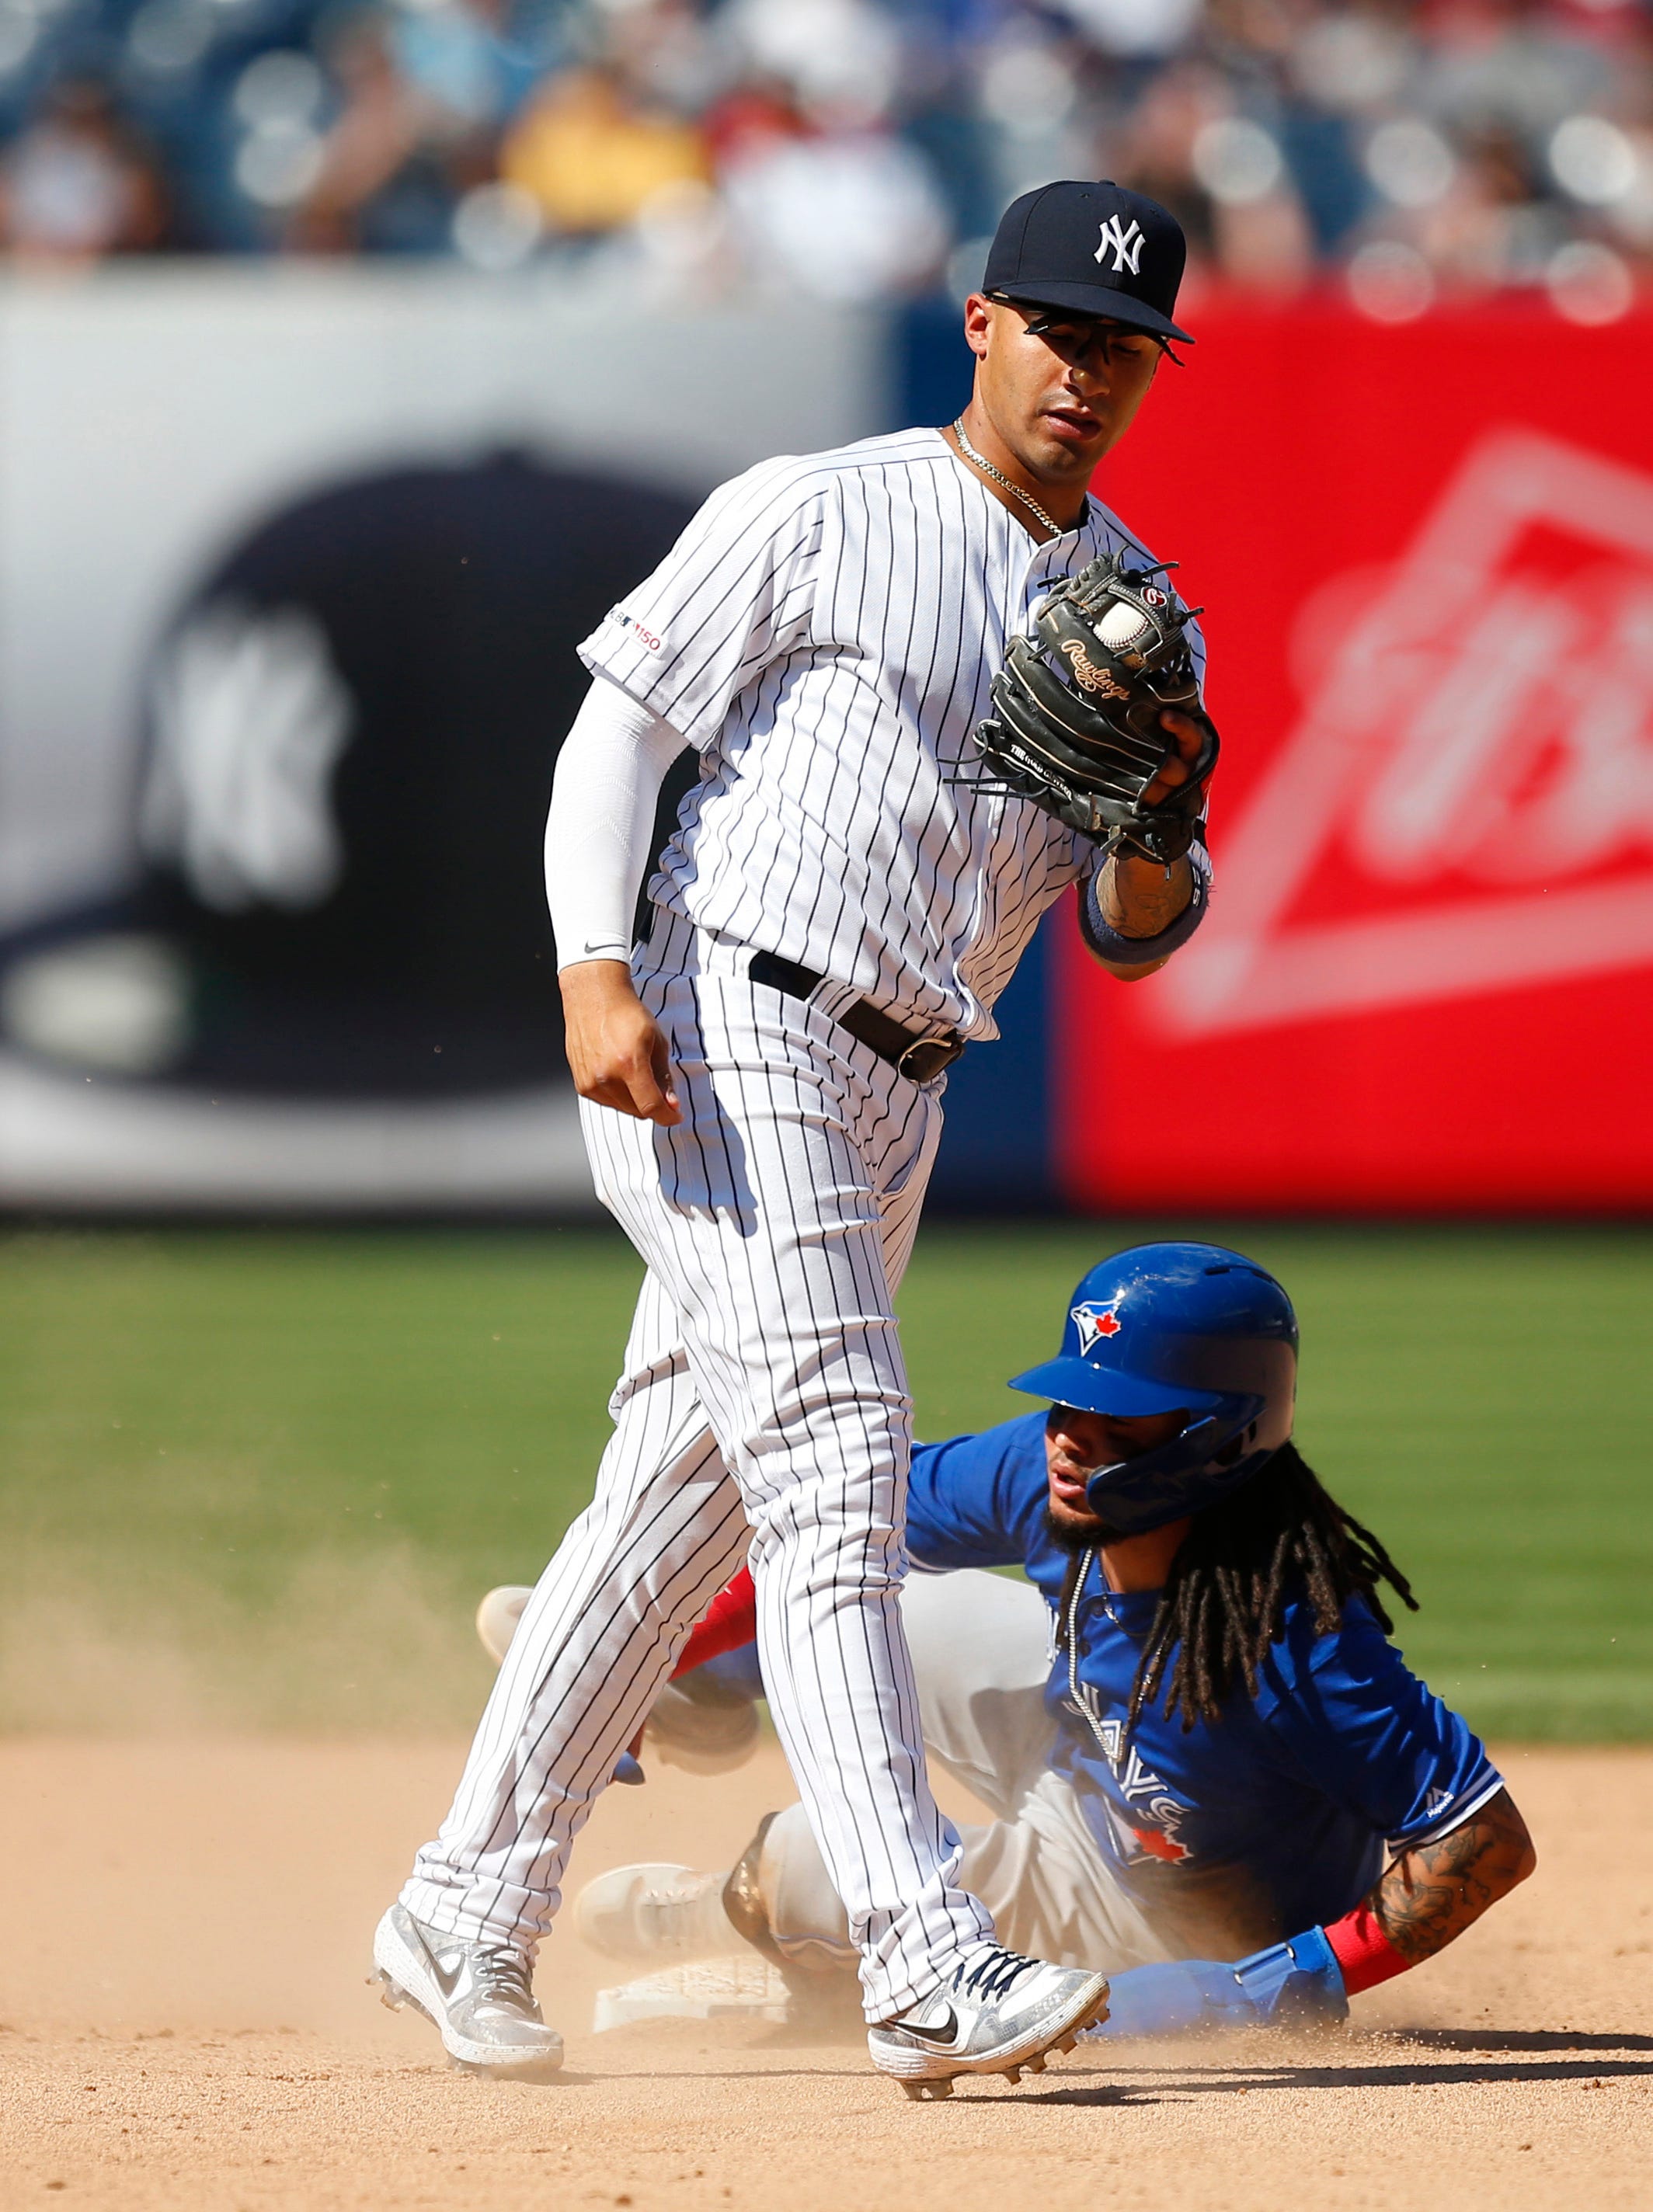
(293, 565)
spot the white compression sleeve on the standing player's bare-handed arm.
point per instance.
(601, 824)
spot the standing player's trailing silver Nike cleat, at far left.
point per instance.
(477, 1996)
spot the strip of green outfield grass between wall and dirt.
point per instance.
(262, 1477)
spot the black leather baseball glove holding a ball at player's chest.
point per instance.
(1077, 711)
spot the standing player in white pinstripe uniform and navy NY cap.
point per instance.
(851, 886)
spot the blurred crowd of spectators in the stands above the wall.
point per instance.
(844, 149)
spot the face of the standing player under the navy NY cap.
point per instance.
(1059, 390)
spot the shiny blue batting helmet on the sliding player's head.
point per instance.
(1178, 1328)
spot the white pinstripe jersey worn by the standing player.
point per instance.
(824, 632)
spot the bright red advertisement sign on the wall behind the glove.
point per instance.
(1428, 974)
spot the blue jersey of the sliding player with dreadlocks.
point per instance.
(1269, 1824)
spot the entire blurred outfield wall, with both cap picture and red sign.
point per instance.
(273, 742)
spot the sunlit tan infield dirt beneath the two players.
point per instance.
(187, 2027)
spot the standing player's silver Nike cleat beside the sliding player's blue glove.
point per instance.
(997, 2014)
